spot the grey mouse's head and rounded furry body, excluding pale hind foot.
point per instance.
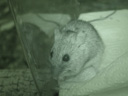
(75, 45)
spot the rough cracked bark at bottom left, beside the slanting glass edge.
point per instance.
(17, 83)
